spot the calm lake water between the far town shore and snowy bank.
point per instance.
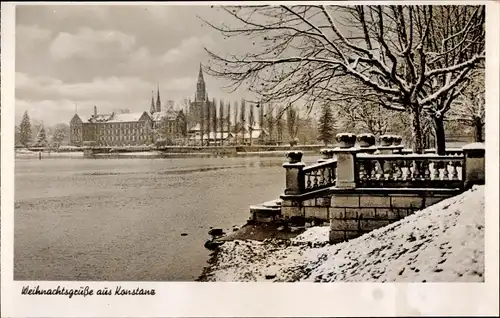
(122, 219)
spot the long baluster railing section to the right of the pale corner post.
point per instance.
(410, 171)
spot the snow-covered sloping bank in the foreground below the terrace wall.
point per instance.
(443, 243)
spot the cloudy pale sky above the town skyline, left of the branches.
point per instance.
(110, 56)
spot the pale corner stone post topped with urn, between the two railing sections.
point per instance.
(346, 157)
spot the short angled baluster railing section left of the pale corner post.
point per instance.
(320, 175)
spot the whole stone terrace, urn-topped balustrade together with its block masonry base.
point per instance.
(359, 188)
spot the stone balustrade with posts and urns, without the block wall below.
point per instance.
(385, 165)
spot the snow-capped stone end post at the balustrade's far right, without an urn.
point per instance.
(474, 169)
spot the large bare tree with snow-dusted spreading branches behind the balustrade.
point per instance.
(301, 51)
